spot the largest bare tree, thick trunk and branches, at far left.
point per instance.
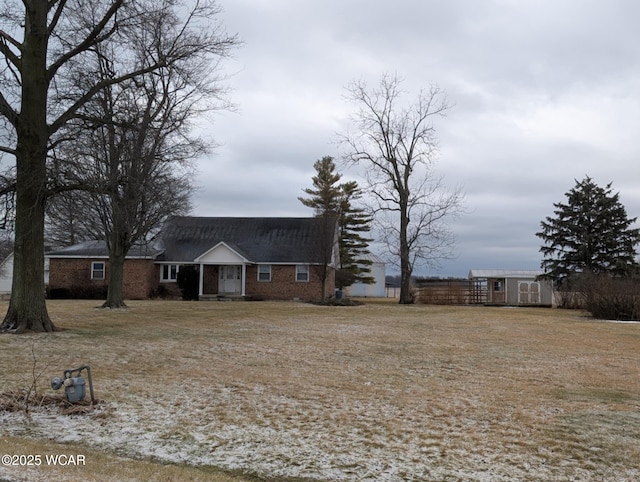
(47, 75)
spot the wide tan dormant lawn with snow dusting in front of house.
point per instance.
(246, 391)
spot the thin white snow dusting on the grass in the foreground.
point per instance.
(280, 436)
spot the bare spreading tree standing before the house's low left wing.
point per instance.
(135, 148)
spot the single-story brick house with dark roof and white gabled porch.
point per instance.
(265, 258)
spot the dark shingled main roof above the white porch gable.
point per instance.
(259, 240)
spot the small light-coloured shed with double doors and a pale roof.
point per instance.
(510, 287)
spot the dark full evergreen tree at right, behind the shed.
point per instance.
(590, 234)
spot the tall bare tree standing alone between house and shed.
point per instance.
(397, 144)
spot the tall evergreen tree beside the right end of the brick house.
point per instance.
(328, 198)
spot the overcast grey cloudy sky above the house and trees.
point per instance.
(543, 93)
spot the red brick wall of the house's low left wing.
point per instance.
(140, 277)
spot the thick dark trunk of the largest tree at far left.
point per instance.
(27, 309)
